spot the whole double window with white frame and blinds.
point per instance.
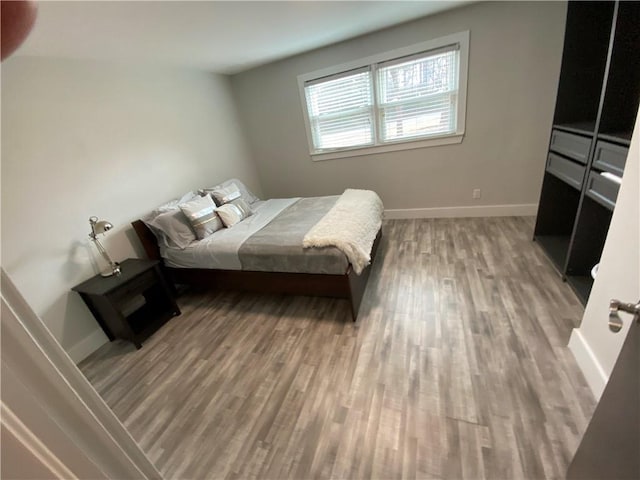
(407, 98)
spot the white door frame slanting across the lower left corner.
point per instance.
(52, 411)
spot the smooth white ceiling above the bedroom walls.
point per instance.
(224, 37)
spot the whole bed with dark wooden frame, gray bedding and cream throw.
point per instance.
(272, 250)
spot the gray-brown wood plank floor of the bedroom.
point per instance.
(456, 368)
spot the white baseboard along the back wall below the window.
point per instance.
(521, 210)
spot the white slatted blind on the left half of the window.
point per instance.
(341, 110)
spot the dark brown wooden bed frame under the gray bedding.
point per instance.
(349, 285)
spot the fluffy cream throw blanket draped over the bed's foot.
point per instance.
(351, 226)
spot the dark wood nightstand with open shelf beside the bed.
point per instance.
(131, 305)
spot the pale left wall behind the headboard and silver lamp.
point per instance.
(88, 138)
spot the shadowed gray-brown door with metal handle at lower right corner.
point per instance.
(610, 448)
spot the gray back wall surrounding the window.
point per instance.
(514, 64)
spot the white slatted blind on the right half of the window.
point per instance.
(417, 95)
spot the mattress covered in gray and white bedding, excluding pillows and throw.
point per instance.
(270, 240)
